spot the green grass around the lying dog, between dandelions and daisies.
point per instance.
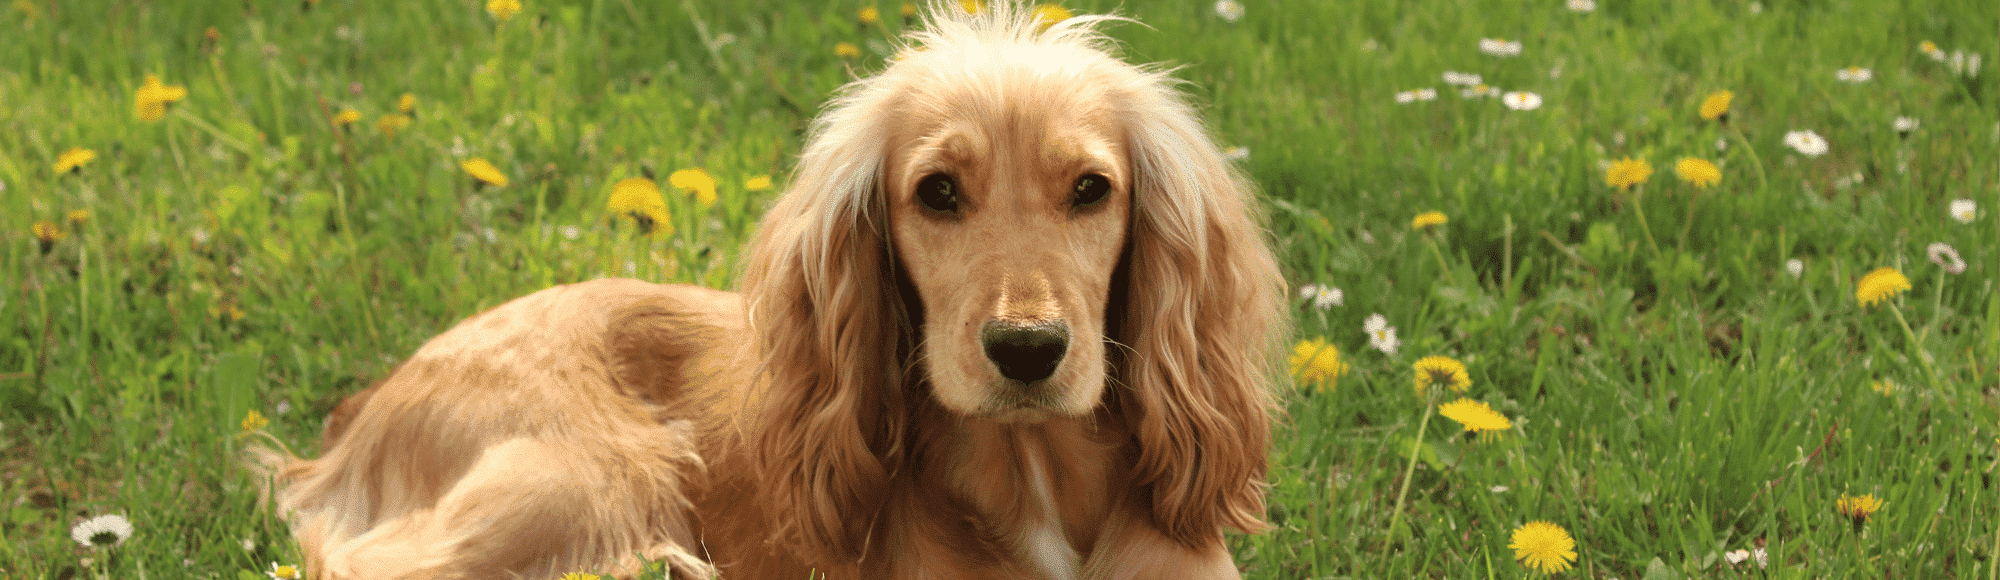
(1673, 399)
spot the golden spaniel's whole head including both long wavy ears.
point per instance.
(1015, 225)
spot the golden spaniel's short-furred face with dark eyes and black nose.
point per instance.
(1009, 199)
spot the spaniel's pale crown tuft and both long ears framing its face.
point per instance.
(1199, 315)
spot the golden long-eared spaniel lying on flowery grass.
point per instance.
(1013, 319)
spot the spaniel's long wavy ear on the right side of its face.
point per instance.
(1205, 307)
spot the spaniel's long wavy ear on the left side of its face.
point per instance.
(831, 333)
